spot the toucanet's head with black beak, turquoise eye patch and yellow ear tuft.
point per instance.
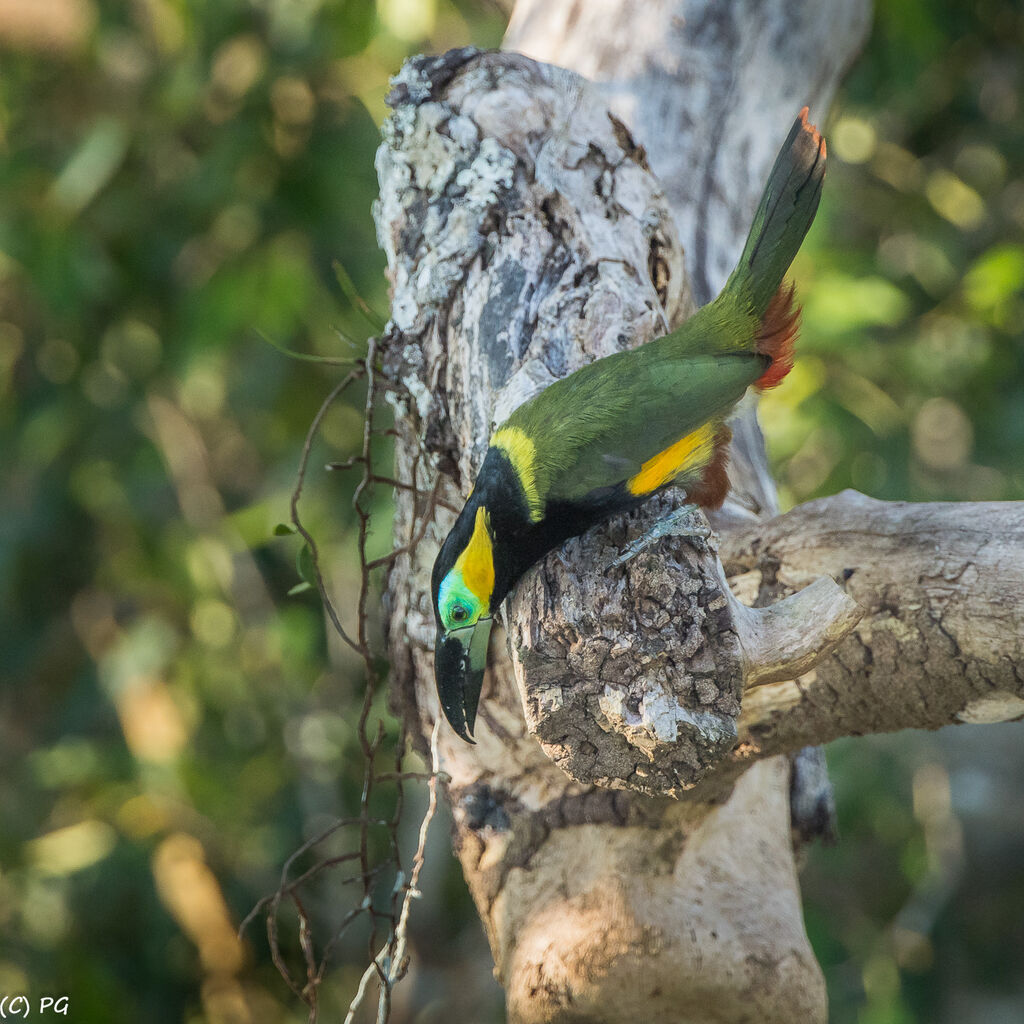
(463, 590)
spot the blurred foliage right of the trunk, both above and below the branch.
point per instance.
(911, 386)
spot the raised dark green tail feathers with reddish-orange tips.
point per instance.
(784, 218)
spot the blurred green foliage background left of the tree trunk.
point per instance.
(179, 181)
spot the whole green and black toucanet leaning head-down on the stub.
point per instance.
(607, 438)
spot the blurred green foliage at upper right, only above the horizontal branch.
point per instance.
(911, 382)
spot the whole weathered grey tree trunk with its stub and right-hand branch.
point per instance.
(624, 820)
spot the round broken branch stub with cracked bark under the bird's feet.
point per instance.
(631, 675)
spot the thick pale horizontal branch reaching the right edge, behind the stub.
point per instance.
(943, 641)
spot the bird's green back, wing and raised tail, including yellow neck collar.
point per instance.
(600, 426)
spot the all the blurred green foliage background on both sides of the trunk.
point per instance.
(178, 181)
